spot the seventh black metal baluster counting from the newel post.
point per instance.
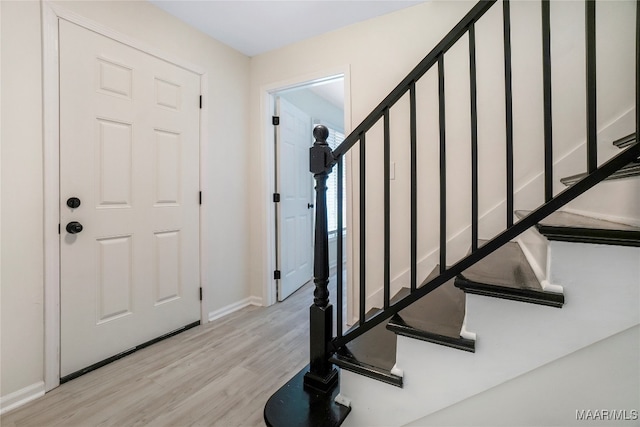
(506, 19)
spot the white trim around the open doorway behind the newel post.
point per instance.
(267, 97)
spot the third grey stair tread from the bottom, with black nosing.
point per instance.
(506, 273)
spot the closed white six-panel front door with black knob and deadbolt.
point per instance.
(129, 155)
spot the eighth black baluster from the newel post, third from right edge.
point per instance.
(548, 119)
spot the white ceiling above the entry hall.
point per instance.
(258, 26)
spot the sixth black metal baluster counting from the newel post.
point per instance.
(474, 138)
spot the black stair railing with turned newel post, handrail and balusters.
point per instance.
(321, 375)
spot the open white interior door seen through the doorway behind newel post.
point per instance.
(295, 221)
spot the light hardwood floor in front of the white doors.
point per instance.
(217, 374)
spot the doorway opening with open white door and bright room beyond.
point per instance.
(296, 111)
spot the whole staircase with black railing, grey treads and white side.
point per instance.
(551, 282)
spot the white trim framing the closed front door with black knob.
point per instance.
(51, 15)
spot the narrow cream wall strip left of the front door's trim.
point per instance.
(22, 198)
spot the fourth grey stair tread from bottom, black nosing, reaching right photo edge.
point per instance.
(604, 234)
